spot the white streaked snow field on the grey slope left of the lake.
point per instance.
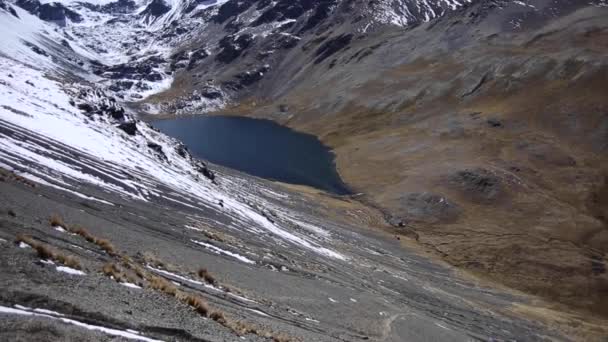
(44, 136)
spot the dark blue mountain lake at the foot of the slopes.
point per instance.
(258, 147)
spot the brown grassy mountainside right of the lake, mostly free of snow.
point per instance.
(483, 135)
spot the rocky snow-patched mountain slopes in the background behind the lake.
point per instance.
(135, 48)
